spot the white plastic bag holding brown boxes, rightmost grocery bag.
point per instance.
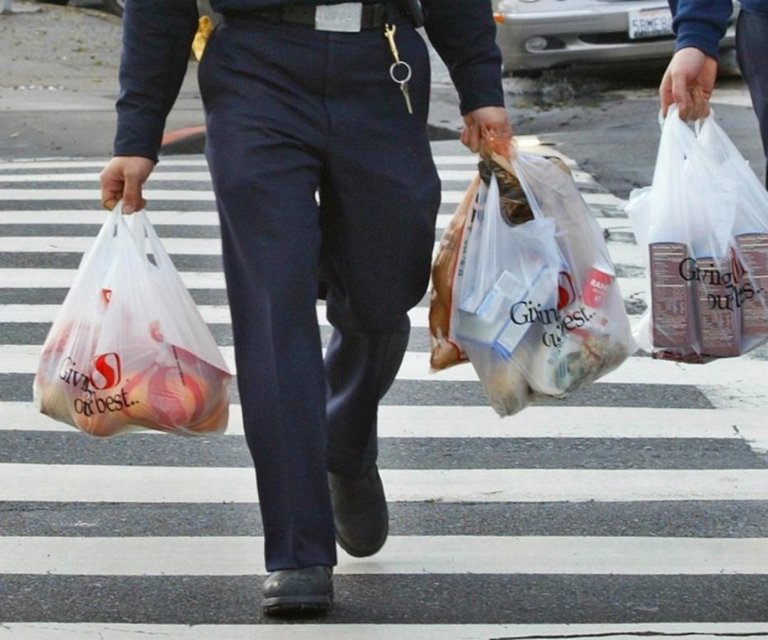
(703, 228)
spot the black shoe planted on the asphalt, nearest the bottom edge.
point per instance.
(298, 592)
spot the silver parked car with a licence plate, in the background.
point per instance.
(534, 35)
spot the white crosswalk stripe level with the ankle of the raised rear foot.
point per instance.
(110, 483)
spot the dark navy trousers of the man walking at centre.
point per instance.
(321, 176)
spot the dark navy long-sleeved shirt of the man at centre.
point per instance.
(158, 35)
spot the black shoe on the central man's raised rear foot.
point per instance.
(359, 513)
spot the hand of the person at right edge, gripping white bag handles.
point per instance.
(688, 82)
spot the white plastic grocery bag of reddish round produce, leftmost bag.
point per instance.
(129, 348)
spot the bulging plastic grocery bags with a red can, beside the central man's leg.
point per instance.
(534, 304)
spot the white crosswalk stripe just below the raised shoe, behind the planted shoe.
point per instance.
(411, 555)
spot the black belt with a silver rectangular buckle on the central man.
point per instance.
(349, 16)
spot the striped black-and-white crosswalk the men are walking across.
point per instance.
(637, 506)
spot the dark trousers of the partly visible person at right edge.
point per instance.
(751, 47)
